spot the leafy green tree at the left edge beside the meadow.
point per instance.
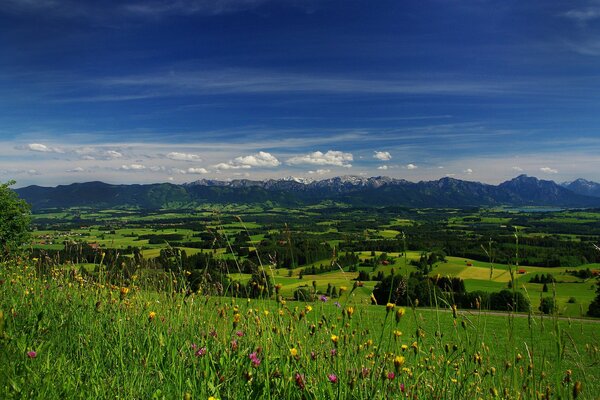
(15, 216)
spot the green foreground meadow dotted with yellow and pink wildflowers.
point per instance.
(64, 337)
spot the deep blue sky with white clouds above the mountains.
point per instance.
(146, 91)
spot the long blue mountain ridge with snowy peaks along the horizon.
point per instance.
(355, 190)
